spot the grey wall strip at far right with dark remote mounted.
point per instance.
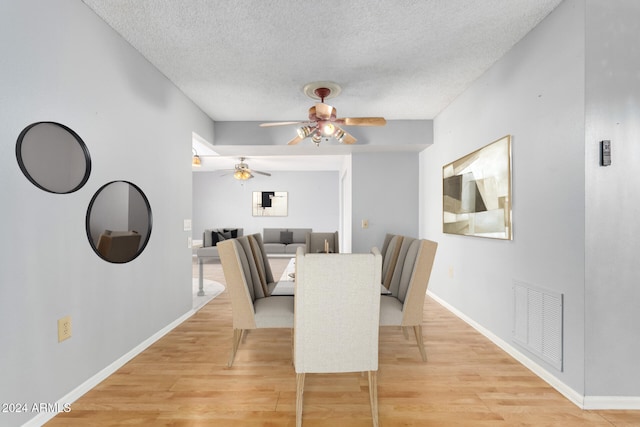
(612, 199)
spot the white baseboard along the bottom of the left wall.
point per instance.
(75, 394)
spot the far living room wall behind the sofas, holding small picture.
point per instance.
(222, 201)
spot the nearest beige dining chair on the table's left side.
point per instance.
(251, 305)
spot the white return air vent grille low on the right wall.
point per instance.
(538, 322)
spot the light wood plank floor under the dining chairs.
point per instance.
(183, 380)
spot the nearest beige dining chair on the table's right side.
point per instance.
(405, 305)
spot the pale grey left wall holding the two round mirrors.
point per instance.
(61, 63)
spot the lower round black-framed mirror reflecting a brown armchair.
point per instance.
(119, 221)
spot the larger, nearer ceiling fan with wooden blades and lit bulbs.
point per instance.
(323, 121)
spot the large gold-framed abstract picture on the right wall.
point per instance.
(476, 191)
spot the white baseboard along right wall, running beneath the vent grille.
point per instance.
(575, 397)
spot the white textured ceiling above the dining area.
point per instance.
(250, 60)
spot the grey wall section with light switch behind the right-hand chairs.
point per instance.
(385, 194)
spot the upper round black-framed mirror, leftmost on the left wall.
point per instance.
(53, 157)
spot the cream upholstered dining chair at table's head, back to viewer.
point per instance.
(337, 309)
